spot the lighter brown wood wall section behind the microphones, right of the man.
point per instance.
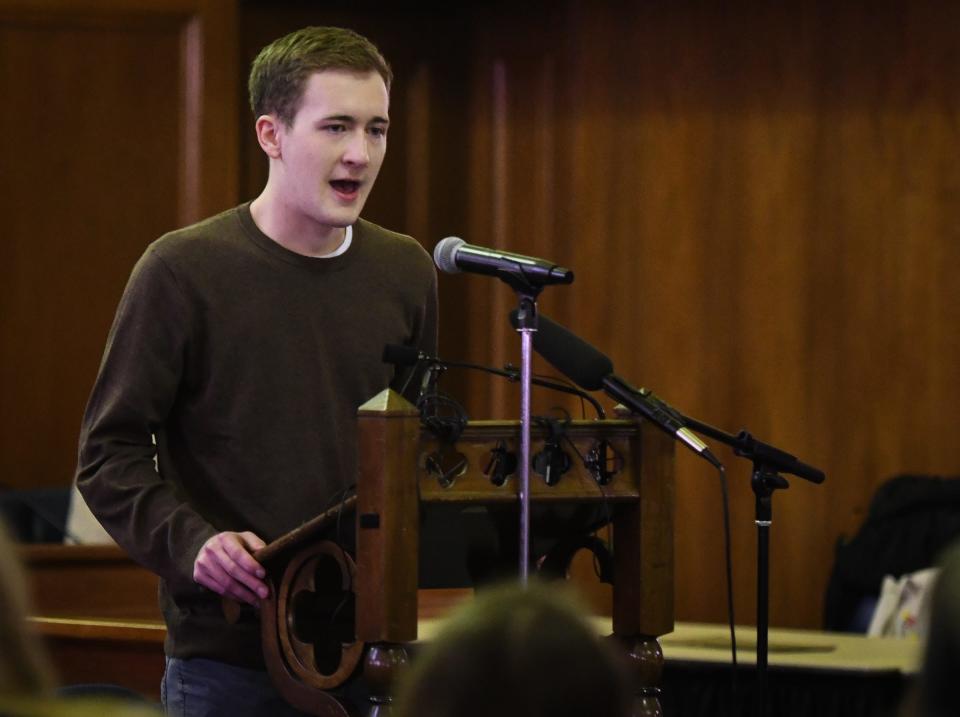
(760, 204)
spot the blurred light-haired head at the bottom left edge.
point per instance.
(24, 669)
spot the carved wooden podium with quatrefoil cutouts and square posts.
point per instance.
(401, 466)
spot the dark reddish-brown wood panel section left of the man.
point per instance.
(118, 125)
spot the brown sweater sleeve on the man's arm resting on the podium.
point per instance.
(138, 382)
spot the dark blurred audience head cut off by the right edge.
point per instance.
(936, 693)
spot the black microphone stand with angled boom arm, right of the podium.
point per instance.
(768, 463)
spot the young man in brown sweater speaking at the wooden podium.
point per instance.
(243, 346)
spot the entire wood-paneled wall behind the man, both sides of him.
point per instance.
(759, 201)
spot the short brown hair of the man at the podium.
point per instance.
(281, 70)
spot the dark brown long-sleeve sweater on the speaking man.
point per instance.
(247, 362)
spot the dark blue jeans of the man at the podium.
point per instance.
(209, 688)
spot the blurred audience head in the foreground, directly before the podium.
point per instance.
(516, 652)
